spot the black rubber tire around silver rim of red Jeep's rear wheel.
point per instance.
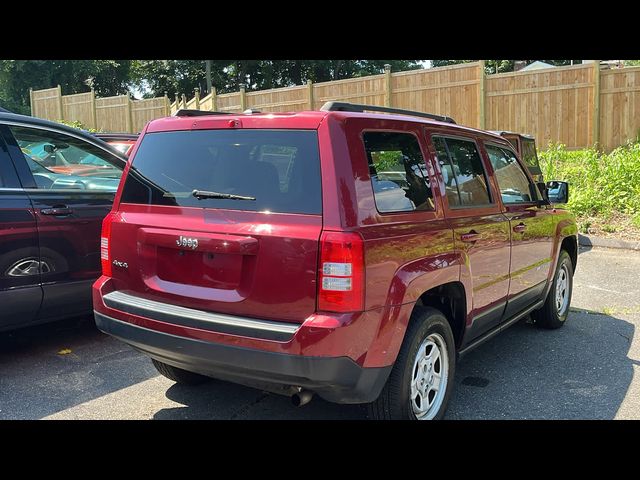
(394, 402)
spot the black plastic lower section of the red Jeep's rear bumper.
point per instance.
(336, 379)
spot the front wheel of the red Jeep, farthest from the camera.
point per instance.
(553, 314)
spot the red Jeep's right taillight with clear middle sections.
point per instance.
(341, 272)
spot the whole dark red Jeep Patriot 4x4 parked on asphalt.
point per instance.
(302, 274)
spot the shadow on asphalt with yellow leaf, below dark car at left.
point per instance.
(48, 368)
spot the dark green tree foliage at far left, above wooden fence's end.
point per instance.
(107, 77)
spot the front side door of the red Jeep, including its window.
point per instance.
(532, 227)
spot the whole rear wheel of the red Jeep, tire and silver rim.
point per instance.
(421, 380)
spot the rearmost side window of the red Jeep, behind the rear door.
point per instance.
(398, 172)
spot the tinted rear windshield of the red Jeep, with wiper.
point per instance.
(280, 169)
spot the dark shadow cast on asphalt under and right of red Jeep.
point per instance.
(580, 371)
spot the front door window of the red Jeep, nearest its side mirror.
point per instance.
(512, 181)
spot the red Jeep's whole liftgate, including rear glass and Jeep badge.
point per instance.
(254, 254)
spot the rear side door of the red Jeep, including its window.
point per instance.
(481, 231)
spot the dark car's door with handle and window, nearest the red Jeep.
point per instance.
(71, 184)
